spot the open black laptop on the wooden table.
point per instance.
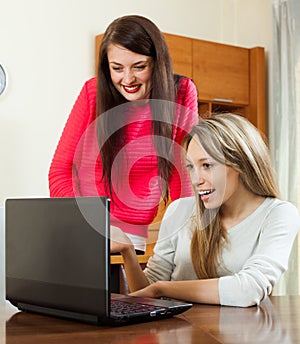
(58, 263)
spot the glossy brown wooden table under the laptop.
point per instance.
(277, 320)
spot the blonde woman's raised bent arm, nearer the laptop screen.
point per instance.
(160, 266)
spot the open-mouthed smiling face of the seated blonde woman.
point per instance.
(216, 183)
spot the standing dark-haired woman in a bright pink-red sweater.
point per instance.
(123, 136)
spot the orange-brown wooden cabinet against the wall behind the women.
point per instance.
(228, 78)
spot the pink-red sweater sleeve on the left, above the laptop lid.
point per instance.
(62, 173)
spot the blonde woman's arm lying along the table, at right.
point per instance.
(258, 273)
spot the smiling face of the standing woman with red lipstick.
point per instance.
(131, 73)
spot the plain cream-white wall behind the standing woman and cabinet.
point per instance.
(47, 49)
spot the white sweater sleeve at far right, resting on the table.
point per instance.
(255, 281)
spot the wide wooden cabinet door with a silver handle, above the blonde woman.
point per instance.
(221, 72)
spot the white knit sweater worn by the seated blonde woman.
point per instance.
(253, 261)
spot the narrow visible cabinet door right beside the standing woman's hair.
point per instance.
(181, 53)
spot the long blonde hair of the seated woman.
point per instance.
(233, 141)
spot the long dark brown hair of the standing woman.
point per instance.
(140, 35)
